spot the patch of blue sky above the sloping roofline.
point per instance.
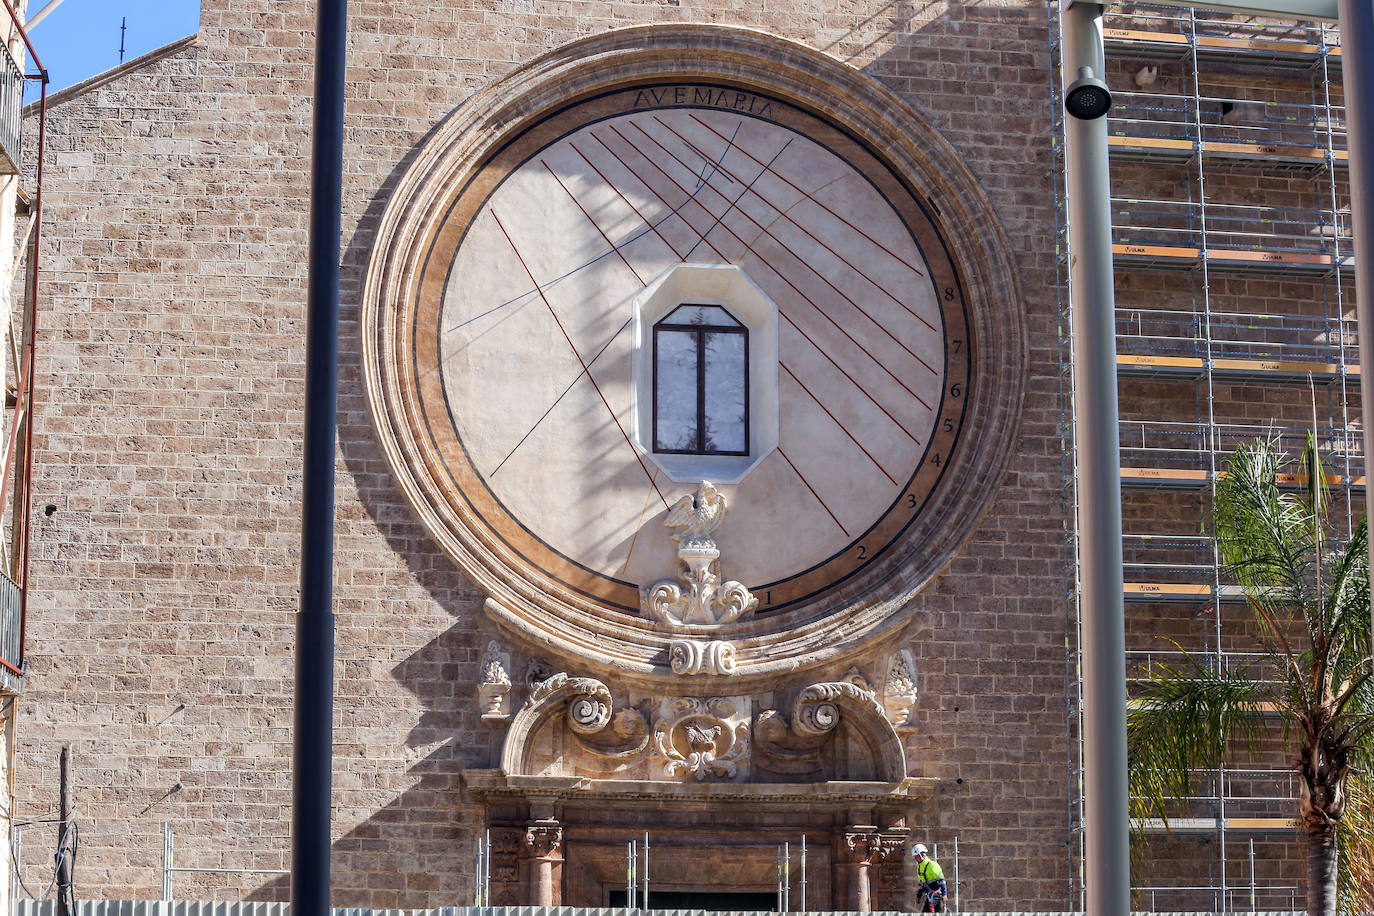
(82, 38)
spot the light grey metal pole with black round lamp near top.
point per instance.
(1093, 318)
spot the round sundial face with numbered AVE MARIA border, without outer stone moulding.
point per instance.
(535, 339)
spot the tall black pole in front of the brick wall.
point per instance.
(314, 759)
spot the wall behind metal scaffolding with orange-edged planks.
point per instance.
(1236, 322)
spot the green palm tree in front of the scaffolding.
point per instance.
(1310, 608)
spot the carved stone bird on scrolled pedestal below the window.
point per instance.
(697, 597)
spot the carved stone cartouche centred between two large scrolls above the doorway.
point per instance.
(703, 738)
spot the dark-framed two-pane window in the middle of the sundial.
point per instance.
(701, 382)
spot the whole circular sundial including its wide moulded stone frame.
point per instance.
(501, 339)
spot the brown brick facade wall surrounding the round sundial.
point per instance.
(171, 377)
